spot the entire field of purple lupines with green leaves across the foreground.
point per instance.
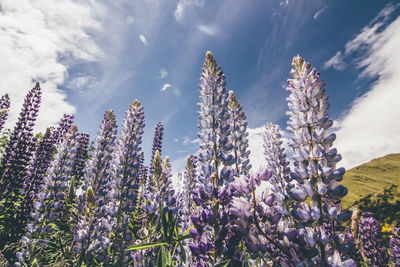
(64, 202)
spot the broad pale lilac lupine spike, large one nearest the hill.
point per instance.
(315, 159)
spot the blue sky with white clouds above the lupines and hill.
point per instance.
(96, 55)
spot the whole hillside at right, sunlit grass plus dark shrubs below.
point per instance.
(375, 186)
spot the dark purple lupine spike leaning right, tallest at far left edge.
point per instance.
(15, 164)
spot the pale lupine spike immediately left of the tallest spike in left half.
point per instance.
(95, 224)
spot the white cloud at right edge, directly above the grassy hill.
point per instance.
(371, 127)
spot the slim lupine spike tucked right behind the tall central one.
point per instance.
(238, 136)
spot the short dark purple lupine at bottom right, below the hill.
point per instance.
(371, 241)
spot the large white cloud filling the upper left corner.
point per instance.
(40, 40)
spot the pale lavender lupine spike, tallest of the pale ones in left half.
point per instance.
(125, 172)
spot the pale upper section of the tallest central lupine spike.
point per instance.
(215, 148)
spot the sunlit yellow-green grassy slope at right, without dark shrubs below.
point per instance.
(372, 178)
